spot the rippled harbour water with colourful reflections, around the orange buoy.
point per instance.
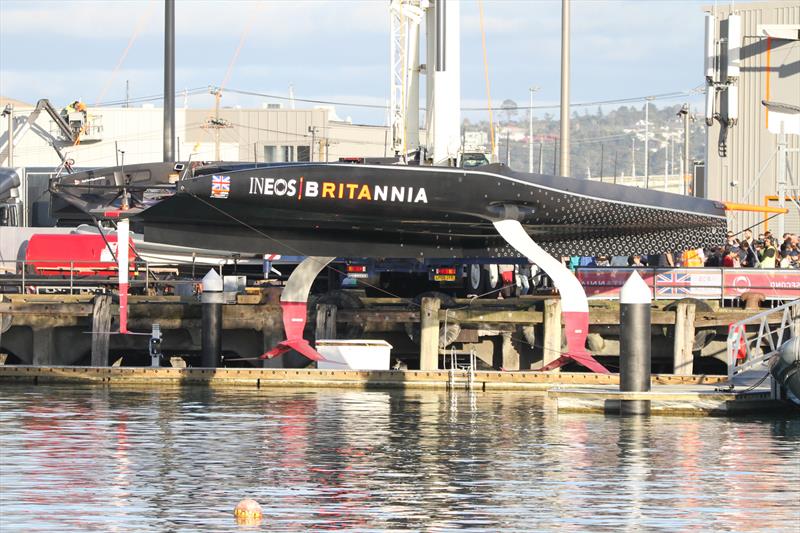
(78, 459)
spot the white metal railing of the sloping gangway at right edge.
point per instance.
(753, 341)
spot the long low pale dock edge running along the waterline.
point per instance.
(597, 393)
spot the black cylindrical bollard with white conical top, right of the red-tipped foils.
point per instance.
(634, 343)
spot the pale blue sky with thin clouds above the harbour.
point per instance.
(338, 50)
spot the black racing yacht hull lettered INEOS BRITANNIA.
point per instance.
(358, 210)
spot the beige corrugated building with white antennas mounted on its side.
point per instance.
(753, 148)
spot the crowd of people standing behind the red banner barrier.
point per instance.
(766, 251)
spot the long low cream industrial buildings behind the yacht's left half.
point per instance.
(271, 134)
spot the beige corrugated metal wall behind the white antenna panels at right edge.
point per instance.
(748, 171)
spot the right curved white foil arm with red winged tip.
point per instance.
(574, 304)
